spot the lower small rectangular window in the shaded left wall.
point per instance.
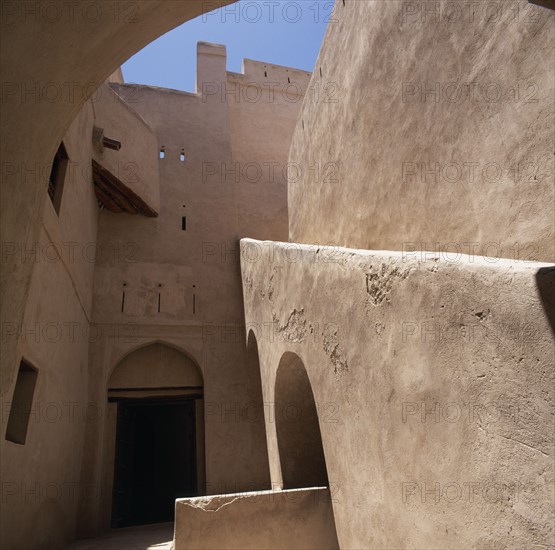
(22, 402)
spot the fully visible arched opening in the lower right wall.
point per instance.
(301, 452)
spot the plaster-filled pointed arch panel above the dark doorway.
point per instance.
(155, 365)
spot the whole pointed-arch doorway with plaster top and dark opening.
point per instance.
(156, 395)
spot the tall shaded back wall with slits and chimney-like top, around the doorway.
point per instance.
(175, 278)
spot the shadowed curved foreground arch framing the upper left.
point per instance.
(50, 66)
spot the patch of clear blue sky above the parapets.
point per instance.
(282, 32)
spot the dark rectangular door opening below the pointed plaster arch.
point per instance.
(155, 459)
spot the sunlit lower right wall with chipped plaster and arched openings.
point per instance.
(433, 382)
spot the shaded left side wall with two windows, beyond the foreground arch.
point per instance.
(54, 337)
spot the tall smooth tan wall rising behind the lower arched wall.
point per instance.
(440, 130)
